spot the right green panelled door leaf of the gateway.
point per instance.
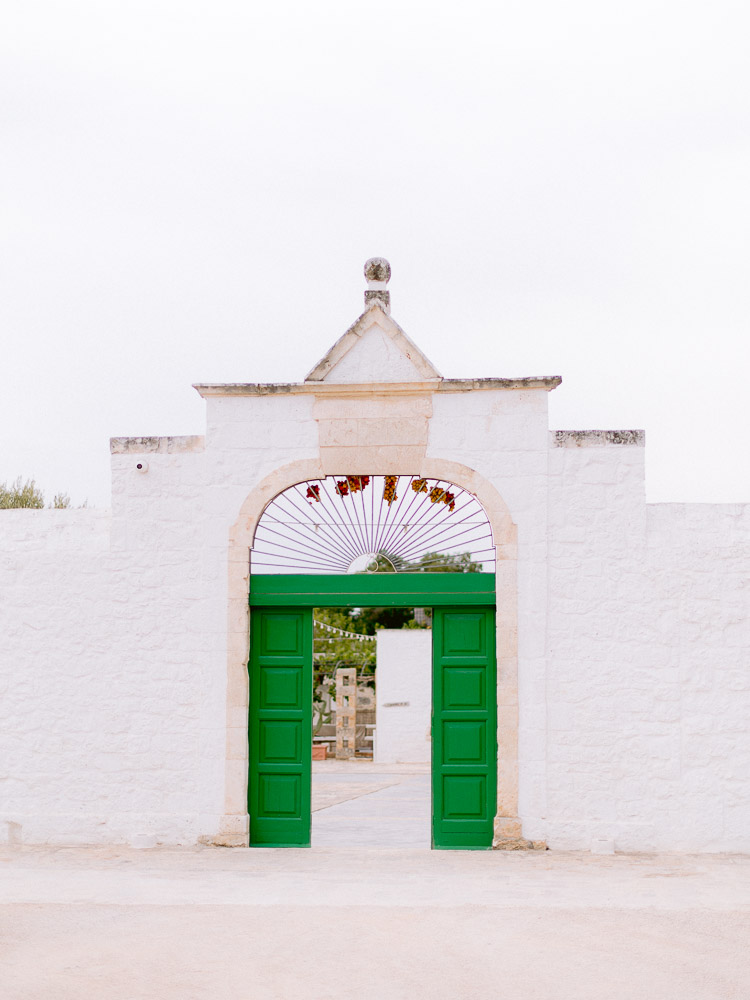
(464, 728)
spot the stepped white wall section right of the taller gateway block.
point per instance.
(648, 686)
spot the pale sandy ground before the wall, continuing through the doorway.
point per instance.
(355, 921)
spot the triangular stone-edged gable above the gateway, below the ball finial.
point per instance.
(374, 349)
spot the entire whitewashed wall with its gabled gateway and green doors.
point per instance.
(593, 682)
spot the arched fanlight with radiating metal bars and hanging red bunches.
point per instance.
(354, 524)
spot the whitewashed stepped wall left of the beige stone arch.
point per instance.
(113, 636)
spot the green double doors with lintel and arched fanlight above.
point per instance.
(361, 541)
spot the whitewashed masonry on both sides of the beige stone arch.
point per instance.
(632, 634)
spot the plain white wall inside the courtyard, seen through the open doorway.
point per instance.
(403, 690)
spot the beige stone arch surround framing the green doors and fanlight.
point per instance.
(233, 829)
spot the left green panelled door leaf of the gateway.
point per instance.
(280, 720)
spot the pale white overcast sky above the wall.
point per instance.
(189, 191)
